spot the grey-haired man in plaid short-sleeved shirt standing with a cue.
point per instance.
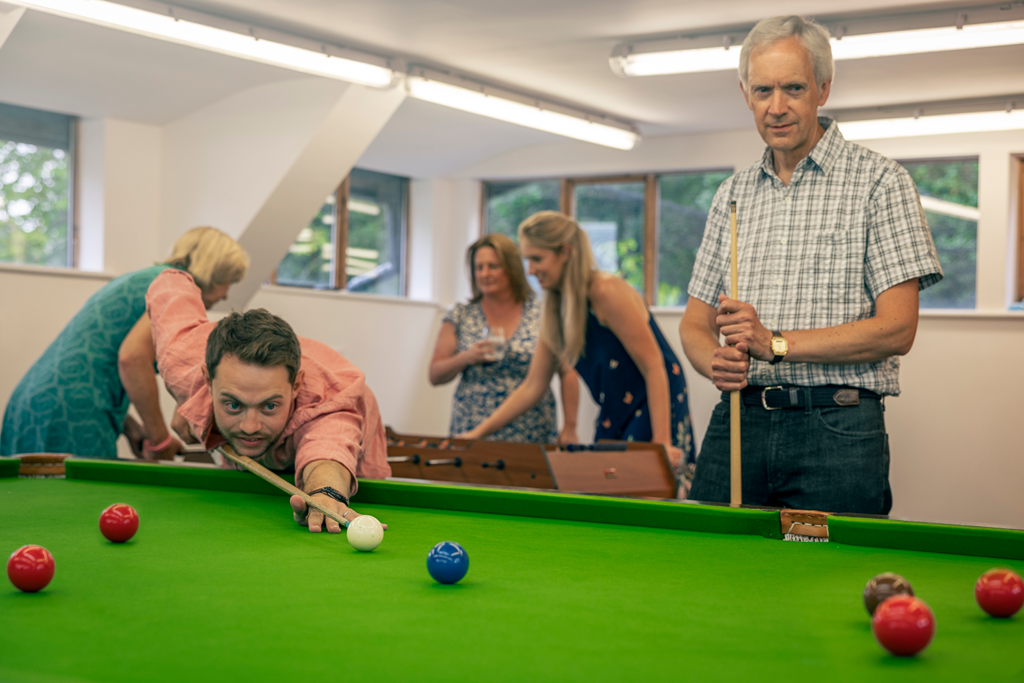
(833, 250)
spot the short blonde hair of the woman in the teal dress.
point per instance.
(210, 257)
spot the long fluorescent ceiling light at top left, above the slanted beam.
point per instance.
(166, 27)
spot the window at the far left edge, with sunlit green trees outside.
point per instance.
(36, 164)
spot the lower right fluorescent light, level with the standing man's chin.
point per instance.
(932, 125)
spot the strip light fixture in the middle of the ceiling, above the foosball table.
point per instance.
(477, 99)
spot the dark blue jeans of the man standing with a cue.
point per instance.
(834, 459)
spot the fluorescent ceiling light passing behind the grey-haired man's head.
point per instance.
(945, 39)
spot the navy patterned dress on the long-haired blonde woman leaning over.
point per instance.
(618, 387)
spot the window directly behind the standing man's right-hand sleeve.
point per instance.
(949, 192)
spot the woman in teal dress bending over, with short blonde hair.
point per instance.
(75, 399)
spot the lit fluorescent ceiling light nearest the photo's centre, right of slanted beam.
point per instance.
(518, 113)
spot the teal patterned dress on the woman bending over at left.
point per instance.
(72, 401)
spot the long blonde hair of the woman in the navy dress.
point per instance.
(564, 325)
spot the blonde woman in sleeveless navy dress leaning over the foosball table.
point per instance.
(600, 324)
